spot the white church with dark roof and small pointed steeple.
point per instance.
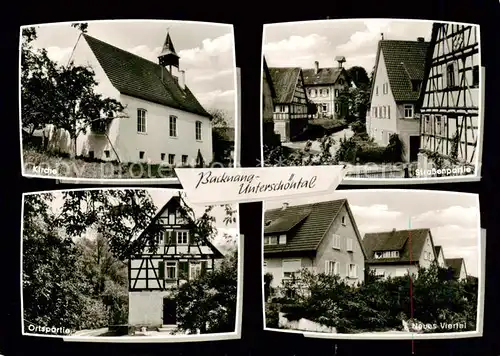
(163, 121)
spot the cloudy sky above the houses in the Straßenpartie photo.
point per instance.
(300, 44)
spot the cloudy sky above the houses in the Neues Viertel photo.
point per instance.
(452, 217)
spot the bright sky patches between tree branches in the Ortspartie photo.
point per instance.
(161, 196)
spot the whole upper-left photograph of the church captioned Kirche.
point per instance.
(126, 99)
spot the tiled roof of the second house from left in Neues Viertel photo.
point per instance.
(395, 240)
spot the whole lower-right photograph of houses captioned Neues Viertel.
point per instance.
(374, 264)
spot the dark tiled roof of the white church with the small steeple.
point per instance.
(140, 78)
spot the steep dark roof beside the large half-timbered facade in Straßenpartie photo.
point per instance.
(405, 61)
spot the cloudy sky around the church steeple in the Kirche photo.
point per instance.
(206, 51)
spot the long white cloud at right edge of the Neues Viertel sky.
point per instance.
(454, 215)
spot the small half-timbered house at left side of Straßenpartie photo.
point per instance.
(290, 103)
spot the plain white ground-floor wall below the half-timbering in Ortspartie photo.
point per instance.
(146, 308)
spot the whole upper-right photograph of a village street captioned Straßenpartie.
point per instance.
(390, 99)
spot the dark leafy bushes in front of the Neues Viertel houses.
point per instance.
(380, 304)
